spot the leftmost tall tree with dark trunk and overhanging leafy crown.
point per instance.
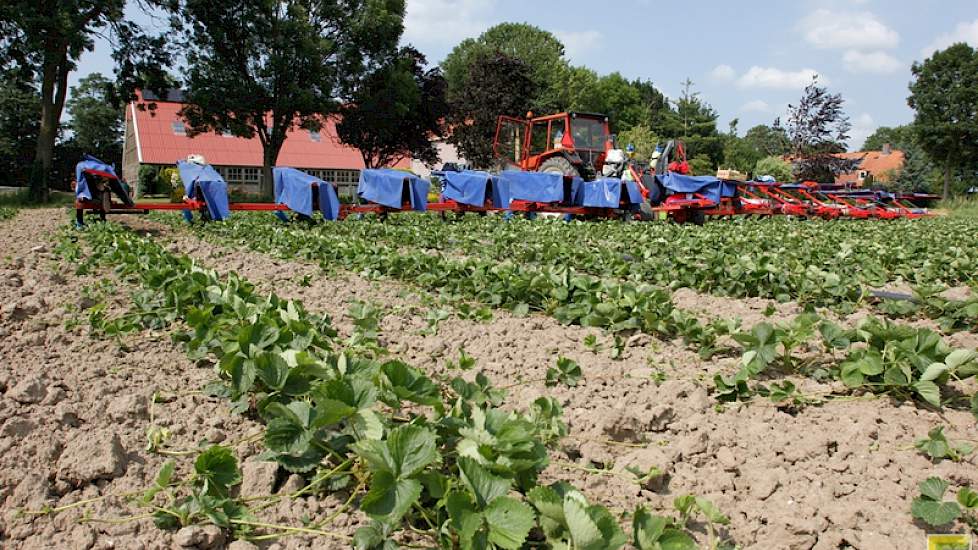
(46, 39)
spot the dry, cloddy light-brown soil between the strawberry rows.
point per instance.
(75, 410)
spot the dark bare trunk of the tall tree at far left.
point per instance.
(54, 88)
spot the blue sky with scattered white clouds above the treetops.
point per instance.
(747, 58)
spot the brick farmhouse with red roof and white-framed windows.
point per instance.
(158, 137)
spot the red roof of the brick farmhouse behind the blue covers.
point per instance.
(159, 143)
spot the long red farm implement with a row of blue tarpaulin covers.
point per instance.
(629, 193)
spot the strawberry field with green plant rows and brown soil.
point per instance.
(468, 382)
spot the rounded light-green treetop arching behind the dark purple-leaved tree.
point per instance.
(539, 50)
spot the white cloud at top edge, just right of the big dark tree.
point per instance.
(445, 22)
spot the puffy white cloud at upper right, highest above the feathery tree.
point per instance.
(826, 29)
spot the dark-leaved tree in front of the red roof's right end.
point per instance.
(396, 111)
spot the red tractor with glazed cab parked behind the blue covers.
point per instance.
(572, 144)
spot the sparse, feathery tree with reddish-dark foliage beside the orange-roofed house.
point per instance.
(818, 129)
